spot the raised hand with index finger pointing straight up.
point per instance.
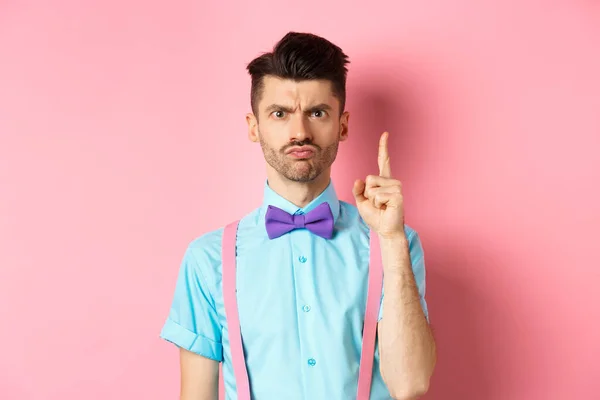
(379, 198)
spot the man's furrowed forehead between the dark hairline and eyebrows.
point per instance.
(296, 93)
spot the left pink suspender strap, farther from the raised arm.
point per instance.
(230, 302)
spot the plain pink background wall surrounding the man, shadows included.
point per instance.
(122, 132)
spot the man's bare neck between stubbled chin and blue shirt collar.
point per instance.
(298, 193)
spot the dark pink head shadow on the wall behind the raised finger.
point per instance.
(379, 102)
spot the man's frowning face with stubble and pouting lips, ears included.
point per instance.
(298, 126)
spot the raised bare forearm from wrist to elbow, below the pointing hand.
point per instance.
(406, 344)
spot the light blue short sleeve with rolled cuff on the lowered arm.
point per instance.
(193, 322)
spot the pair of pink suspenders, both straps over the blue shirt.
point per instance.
(233, 323)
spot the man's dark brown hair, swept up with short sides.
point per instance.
(300, 56)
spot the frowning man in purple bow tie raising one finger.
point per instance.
(301, 261)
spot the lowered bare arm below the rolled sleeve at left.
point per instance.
(199, 377)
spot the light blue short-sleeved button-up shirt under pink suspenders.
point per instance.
(301, 302)
